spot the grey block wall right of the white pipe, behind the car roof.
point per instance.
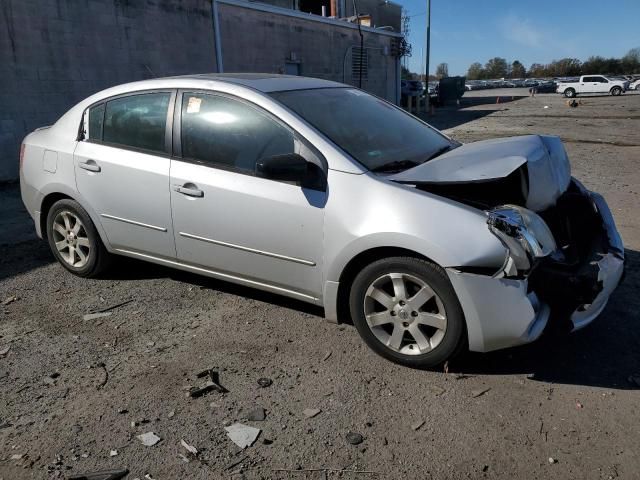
(321, 50)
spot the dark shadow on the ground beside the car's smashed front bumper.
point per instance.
(604, 354)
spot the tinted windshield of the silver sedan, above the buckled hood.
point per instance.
(372, 131)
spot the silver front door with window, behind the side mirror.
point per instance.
(228, 220)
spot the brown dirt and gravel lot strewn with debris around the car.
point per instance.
(74, 390)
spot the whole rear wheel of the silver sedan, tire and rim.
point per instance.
(74, 240)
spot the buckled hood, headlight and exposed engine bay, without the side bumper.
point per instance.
(560, 237)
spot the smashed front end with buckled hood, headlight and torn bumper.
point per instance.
(564, 255)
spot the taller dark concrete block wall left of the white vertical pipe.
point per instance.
(54, 53)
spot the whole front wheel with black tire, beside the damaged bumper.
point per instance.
(425, 338)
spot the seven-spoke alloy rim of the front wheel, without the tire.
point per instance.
(405, 314)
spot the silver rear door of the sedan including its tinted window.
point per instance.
(122, 170)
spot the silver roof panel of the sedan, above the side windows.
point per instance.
(264, 82)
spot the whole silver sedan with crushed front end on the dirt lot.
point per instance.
(327, 194)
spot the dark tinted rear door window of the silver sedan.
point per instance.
(137, 121)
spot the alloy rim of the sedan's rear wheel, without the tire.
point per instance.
(71, 240)
